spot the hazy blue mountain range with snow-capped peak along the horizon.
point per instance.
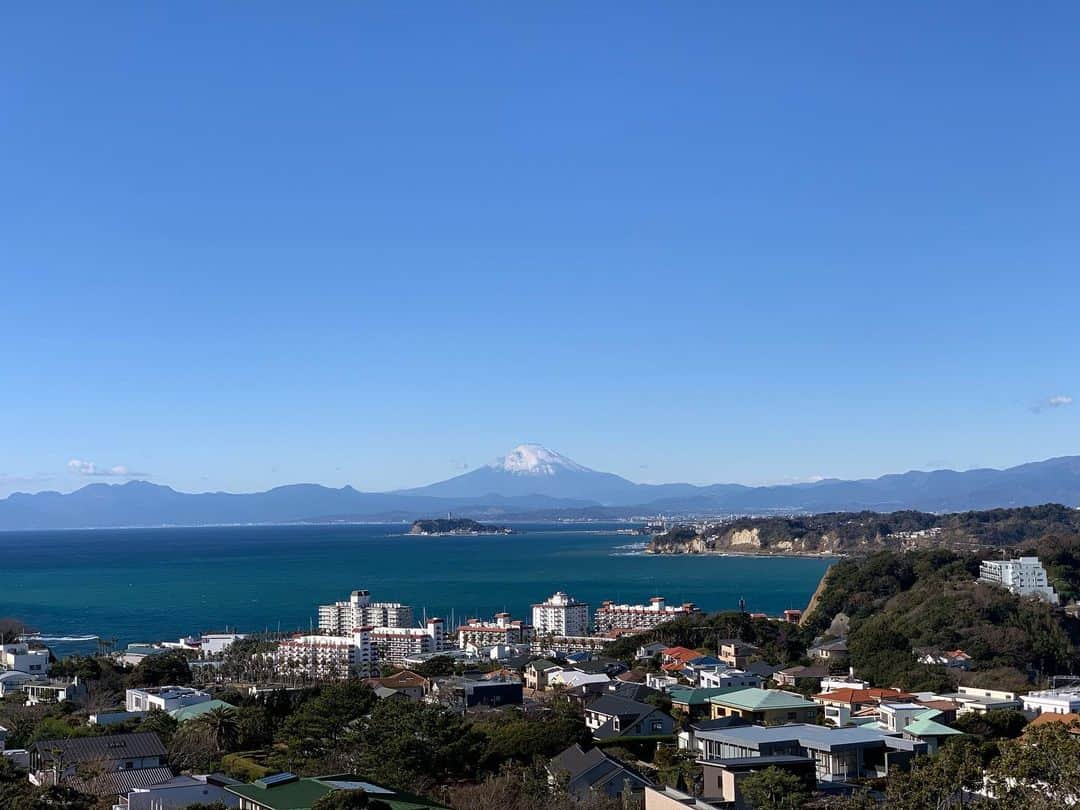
(535, 482)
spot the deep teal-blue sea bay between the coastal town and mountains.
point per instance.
(146, 585)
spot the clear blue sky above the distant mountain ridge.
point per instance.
(382, 244)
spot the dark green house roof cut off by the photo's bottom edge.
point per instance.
(290, 792)
